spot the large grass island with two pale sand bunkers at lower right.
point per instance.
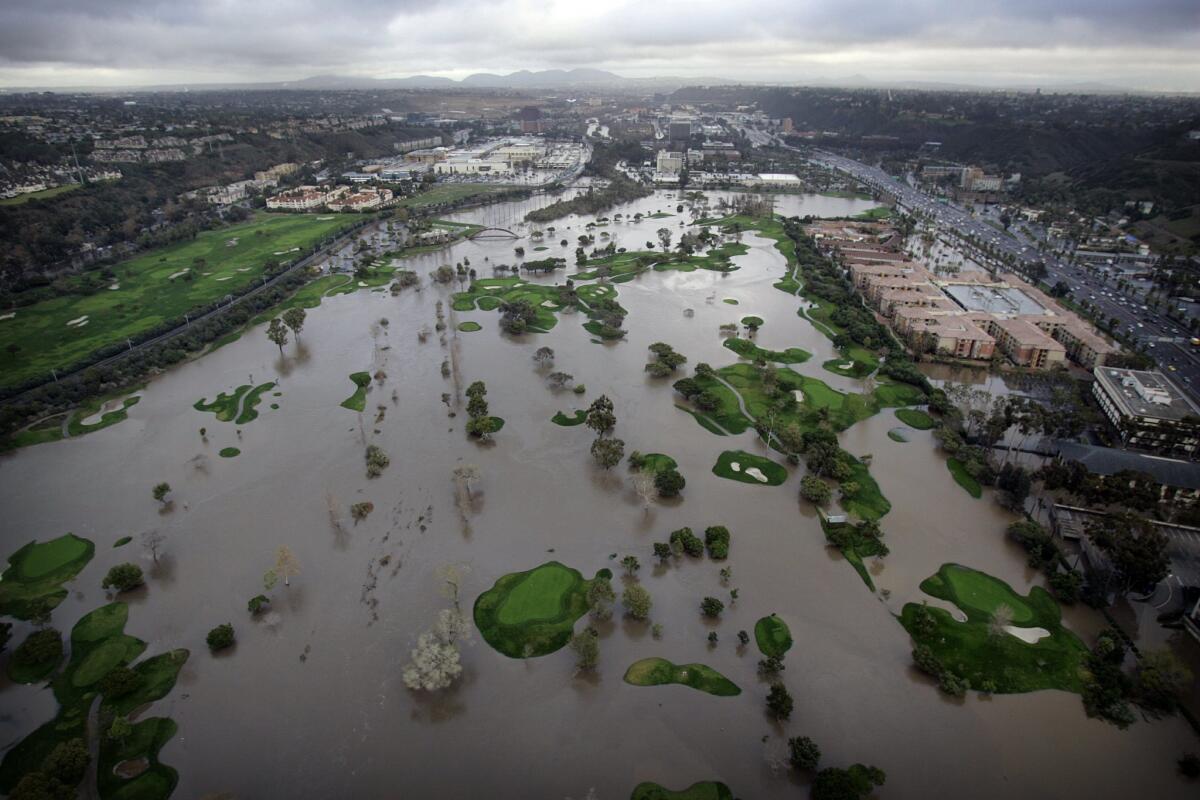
(983, 657)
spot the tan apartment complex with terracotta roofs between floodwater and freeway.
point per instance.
(967, 316)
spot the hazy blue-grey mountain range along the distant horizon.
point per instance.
(584, 79)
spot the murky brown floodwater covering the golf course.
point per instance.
(311, 705)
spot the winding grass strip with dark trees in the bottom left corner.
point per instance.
(99, 646)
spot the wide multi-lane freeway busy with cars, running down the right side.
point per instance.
(1150, 328)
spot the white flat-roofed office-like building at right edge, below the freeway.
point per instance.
(1148, 411)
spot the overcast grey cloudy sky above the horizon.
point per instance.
(1139, 44)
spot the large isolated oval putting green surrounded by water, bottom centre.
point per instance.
(533, 613)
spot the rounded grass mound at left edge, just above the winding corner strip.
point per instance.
(32, 585)
